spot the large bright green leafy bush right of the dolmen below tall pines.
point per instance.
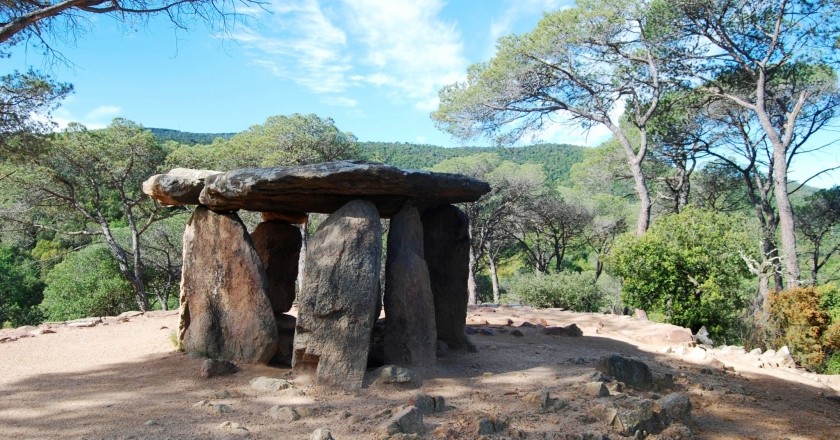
(687, 266)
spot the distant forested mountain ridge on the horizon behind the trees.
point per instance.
(557, 159)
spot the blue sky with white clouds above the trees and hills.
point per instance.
(374, 66)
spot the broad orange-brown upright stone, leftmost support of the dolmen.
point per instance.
(225, 312)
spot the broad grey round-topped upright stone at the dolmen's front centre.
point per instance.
(340, 284)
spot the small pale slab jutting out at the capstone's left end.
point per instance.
(181, 186)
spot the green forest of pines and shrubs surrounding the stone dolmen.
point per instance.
(687, 211)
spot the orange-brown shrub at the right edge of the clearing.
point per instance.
(804, 326)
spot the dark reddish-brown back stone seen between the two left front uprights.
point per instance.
(278, 245)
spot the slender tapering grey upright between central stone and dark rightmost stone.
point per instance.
(410, 335)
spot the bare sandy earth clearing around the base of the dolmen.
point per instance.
(121, 379)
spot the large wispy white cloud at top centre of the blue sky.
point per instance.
(401, 47)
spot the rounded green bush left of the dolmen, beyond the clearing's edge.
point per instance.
(86, 283)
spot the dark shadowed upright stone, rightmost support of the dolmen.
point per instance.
(447, 251)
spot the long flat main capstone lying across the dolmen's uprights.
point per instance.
(326, 187)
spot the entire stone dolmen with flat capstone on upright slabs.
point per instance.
(237, 287)
